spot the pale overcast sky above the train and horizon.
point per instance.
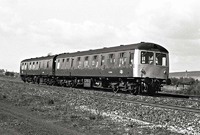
(32, 28)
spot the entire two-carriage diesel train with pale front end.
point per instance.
(138, 68)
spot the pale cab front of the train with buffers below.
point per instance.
(151, 66)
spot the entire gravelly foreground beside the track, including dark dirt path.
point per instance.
(38, 109)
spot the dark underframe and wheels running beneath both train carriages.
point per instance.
(133, 85)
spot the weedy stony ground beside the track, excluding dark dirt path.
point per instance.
(90, 115)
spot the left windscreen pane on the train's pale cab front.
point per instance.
(147, 57)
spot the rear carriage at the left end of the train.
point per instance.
(40, 69)
